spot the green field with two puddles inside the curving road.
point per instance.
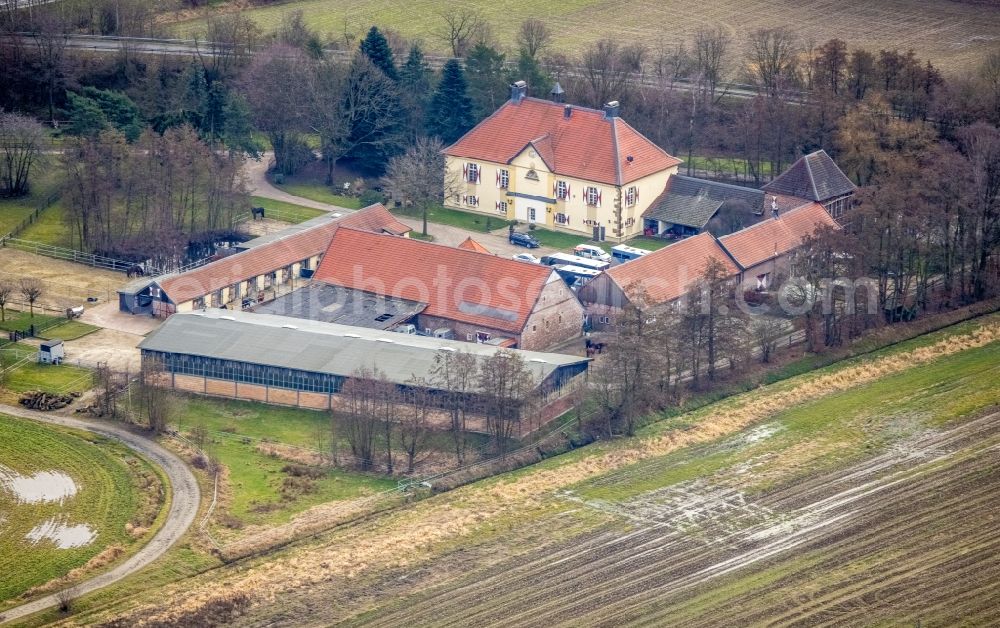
(108, 479)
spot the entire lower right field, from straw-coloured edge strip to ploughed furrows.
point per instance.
(867, 487)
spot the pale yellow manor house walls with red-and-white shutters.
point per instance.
(530, 196)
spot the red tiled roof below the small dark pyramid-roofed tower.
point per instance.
(776, 236)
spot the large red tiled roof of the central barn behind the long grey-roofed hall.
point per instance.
(456, 284)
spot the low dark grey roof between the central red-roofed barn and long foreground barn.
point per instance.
(325, 302)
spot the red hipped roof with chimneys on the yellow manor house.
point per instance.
(587, 145)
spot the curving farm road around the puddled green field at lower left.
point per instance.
(185, 499)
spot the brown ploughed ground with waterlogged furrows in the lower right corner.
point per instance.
(930, 500)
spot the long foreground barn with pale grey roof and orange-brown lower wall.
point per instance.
(295, 362)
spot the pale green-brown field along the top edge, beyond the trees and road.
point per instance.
(954, 35)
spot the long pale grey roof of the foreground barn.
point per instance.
(319, 347)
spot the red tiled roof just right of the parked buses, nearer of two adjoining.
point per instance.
(668, 273)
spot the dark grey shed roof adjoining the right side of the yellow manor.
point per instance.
(692, 202)
